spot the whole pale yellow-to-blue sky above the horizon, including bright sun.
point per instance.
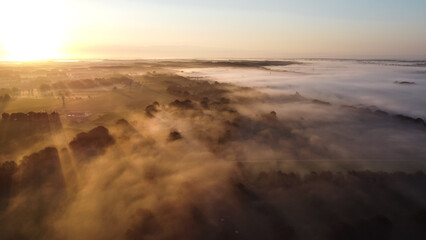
(31, 29)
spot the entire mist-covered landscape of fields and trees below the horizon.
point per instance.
(213, 149)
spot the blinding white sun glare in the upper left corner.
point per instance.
(31, 30)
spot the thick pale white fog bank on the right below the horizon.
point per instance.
(396, 86)
